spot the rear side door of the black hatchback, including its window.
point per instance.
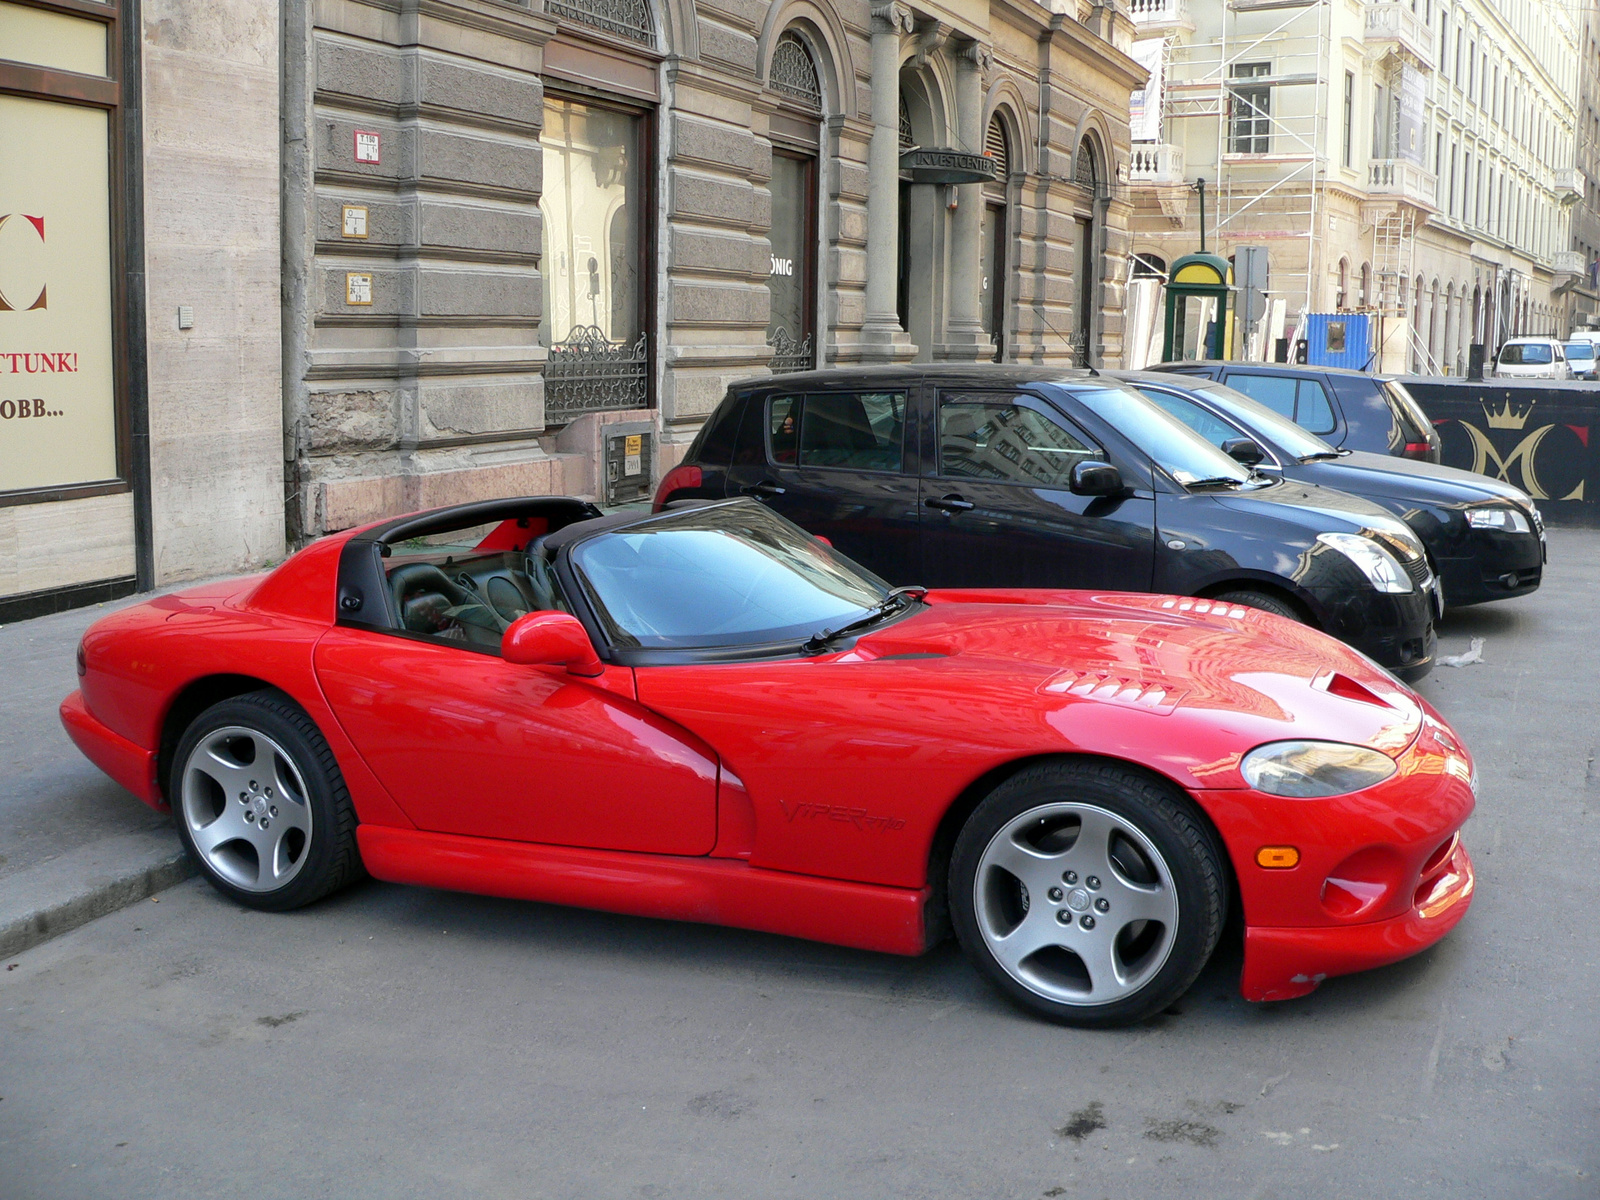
(836, 465)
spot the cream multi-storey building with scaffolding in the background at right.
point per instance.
(1407, 159)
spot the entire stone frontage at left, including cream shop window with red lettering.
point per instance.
(298, 265)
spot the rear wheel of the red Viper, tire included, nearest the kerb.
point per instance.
(226, 801)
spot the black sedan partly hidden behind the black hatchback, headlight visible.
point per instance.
(1486, 538)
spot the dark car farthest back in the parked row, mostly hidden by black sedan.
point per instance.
(1351, 410)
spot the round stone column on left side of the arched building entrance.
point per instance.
(882, 337)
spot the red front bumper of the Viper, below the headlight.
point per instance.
(1382, 873)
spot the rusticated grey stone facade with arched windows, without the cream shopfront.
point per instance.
(516, 230)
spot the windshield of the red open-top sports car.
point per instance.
(729, 575)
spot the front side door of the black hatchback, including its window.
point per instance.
(998, 506)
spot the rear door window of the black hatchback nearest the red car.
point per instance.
(857, 431)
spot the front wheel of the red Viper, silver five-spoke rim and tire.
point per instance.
(1089, 892)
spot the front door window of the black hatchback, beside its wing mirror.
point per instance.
(993, 436)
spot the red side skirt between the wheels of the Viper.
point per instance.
(714, 892)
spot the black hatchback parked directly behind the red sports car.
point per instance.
(1036, 478)
